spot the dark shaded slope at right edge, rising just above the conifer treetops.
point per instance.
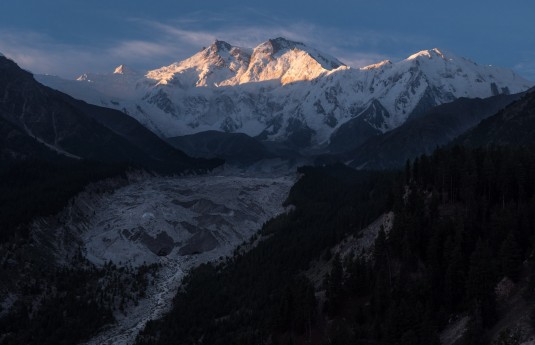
(514, 125)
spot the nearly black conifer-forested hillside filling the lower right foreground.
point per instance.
(463, 222)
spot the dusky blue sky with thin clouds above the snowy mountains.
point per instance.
(69, 37)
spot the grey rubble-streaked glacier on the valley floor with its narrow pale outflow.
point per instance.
(178, 222)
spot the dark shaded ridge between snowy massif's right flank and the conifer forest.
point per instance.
(422, 134)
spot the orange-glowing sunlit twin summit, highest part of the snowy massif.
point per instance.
(222, 64)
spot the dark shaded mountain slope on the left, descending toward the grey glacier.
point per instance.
(36, 119)
